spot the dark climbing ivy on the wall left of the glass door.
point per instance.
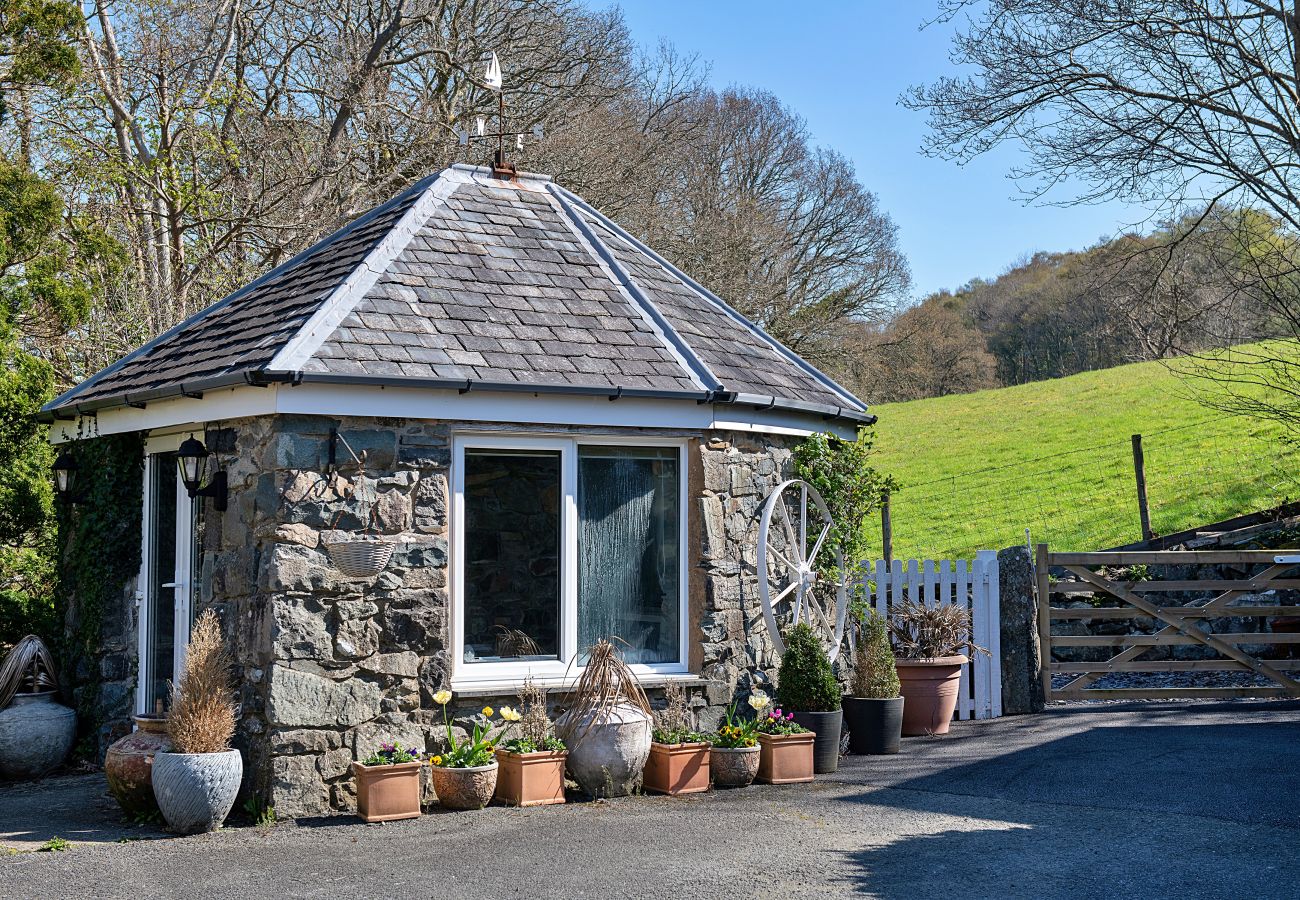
(101, 542)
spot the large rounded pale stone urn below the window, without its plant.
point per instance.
(606, 756)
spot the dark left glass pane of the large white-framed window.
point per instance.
(513, 556)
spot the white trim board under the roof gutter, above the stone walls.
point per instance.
(476, 406)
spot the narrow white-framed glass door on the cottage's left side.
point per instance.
(166, 579)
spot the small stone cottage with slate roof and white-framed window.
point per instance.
(564, 436)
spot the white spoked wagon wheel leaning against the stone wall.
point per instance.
(787, 565)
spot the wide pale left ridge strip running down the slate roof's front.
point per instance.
(349, 295)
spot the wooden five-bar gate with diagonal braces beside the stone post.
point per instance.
(1130, 599)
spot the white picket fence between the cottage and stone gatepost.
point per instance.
(972, 585)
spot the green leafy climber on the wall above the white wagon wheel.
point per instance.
(852, 488)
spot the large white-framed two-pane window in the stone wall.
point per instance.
(560, 543)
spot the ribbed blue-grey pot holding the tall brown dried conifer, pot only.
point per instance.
(196, 791)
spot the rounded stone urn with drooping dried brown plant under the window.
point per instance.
(608, 729)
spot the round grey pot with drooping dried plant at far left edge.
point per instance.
(36, 733)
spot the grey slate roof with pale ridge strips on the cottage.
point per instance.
(467, 280)
